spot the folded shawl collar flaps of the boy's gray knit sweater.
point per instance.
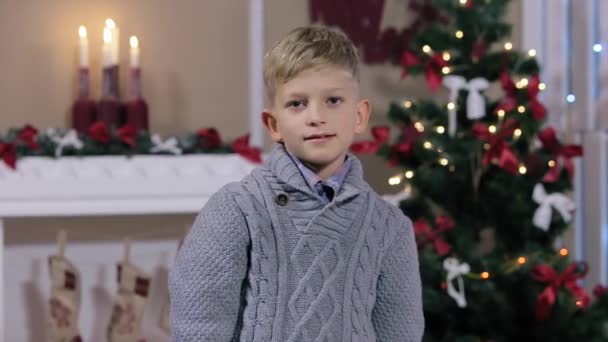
(284, 168)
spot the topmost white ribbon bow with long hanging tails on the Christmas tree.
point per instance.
(476, 106)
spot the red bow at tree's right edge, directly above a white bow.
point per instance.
(559, 154)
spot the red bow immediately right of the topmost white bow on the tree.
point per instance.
(539, 112)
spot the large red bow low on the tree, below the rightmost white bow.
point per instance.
(567, 279)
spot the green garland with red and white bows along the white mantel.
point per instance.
(126, 140)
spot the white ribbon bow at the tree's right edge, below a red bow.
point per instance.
(561, 203)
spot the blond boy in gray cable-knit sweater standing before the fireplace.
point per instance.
(302, 249)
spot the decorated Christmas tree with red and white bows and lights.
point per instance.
(487, 185)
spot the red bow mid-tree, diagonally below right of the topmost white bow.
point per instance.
(499, 149)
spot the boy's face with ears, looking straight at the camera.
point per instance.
(316, 114)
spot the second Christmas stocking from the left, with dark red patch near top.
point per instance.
(127, 313)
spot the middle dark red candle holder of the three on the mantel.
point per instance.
(109, 108)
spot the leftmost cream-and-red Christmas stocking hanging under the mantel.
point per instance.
(64, 304)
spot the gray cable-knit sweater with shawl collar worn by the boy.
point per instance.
(266, 260)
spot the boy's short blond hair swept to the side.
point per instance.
(304, 48)
